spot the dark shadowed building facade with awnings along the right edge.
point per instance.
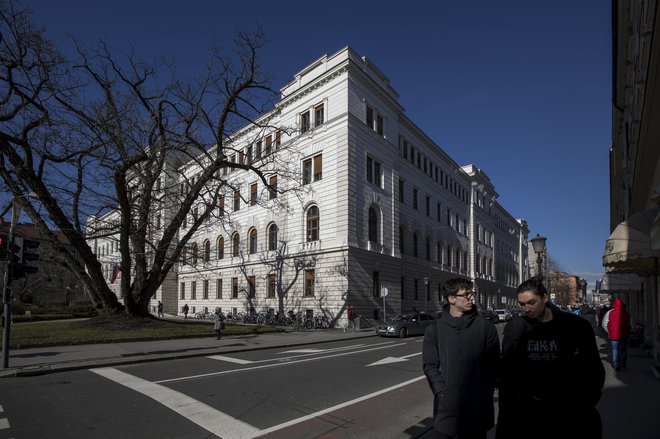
(634, 243)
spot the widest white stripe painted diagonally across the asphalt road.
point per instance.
(207, 417)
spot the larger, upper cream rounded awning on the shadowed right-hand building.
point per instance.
(631, 247)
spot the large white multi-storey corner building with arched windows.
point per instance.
(379, 207)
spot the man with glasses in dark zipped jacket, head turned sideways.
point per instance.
(460, 355)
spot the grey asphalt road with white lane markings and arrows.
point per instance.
(371, 387)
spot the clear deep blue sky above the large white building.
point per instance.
(521, 88)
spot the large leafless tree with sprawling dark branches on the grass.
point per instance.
(111, 133)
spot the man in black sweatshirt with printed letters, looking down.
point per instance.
(544, 352)
